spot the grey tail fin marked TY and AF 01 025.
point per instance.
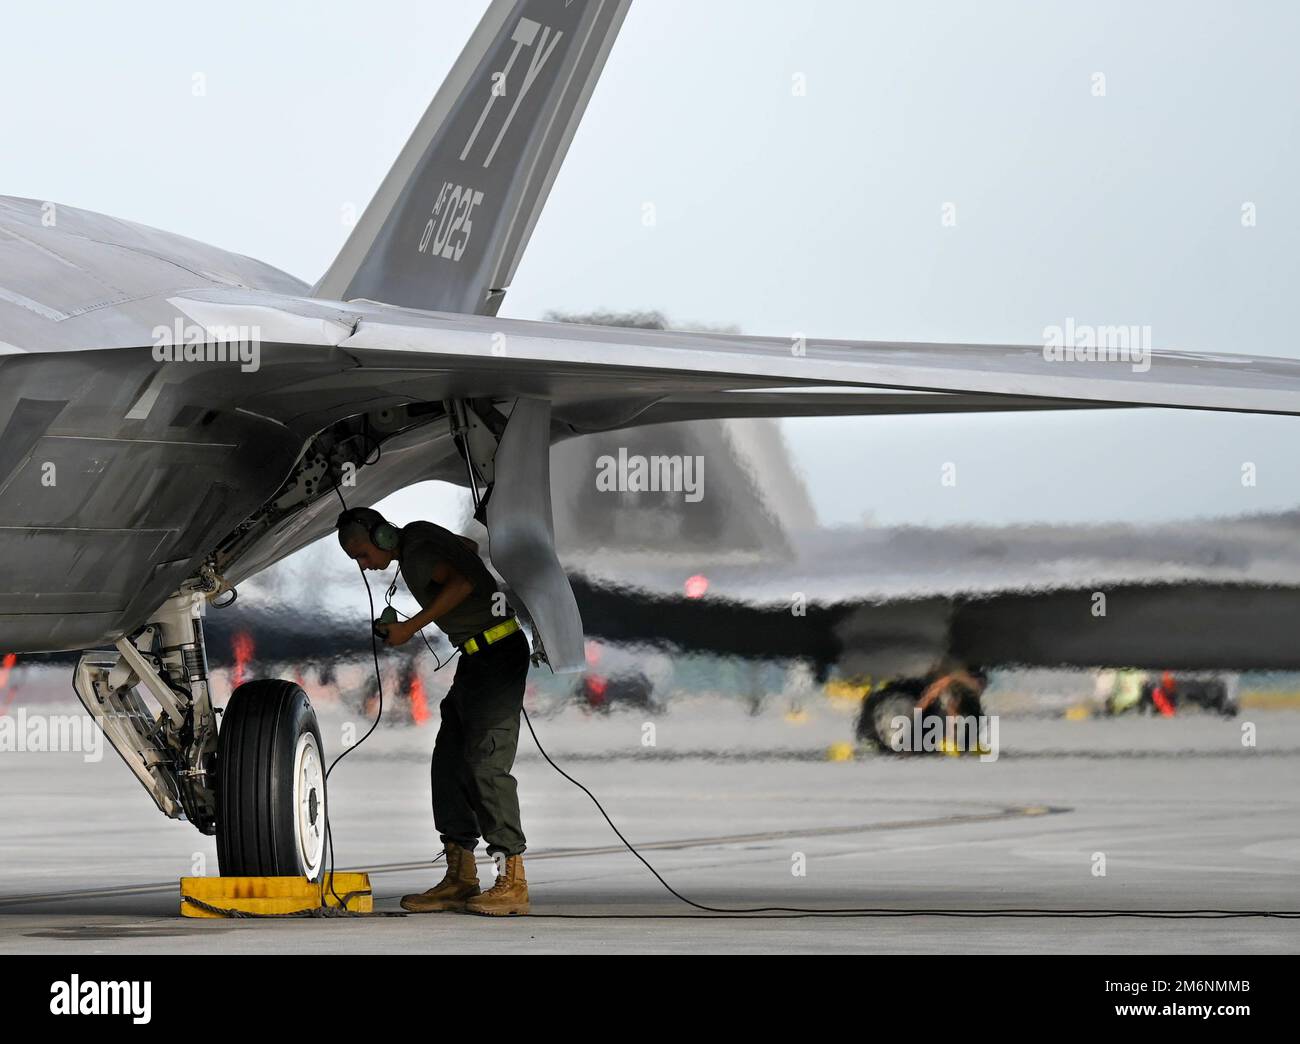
(448, 227)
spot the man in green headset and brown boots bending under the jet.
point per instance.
(474, 792)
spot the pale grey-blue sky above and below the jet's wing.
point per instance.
(817, 214)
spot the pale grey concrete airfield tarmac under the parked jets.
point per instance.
(723, 805)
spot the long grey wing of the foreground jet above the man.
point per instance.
(600, 378)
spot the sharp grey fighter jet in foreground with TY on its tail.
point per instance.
(177, 418)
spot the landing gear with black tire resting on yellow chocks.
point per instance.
(259, 786)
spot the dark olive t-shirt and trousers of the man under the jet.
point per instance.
(474, 792)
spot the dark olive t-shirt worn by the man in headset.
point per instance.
(422, 547)
